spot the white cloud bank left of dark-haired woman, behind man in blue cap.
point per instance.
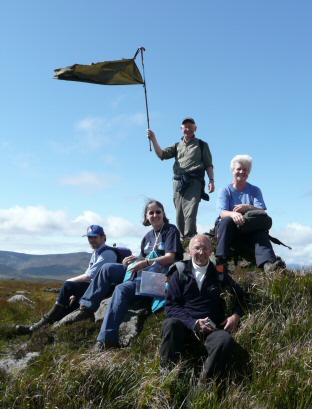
(37, 230)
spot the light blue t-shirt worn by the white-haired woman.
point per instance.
(229, 197)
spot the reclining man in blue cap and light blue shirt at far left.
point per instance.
(74, 288)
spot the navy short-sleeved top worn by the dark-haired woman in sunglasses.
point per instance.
(168, 241)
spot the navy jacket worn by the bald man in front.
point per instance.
(186, 302)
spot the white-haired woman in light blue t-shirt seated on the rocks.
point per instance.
(233, 201)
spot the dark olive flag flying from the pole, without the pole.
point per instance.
(119, 72)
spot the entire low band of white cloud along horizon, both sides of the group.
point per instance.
(38, 230)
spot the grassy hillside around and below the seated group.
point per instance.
(277, 333)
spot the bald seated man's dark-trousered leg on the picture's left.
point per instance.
(174, 338)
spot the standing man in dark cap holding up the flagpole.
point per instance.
(192, 160)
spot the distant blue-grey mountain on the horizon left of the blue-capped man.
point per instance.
(57, 267)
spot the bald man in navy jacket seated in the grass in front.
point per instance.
(195, 311)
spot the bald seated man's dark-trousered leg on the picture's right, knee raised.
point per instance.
(219, 345)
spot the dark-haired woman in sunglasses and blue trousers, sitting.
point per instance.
(164, 241)
